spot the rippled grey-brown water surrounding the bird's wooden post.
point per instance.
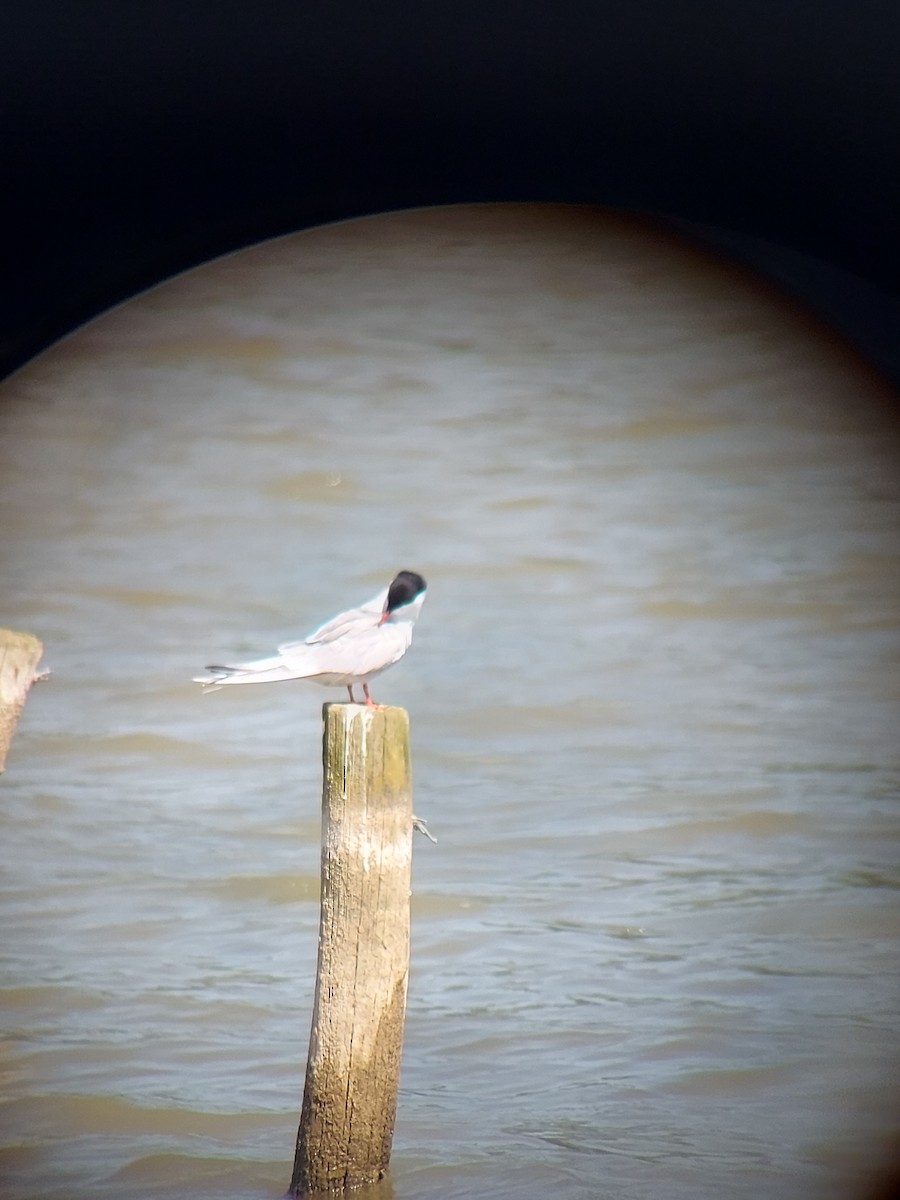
(655, 697)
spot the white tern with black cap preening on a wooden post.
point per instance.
(351, 649)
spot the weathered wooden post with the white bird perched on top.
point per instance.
(353, 1069)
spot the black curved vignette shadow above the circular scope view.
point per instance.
(141, 140)
